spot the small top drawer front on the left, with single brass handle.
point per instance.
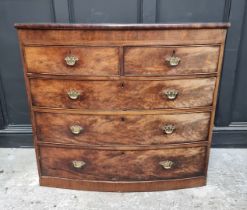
(73, 60)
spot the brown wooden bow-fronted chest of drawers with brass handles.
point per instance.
(122, 107)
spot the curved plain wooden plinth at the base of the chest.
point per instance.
(110, 186)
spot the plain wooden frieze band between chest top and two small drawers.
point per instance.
(122, 37)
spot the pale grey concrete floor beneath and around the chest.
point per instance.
(226, 188)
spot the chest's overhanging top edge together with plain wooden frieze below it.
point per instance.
(122, 34)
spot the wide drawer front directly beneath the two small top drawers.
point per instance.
(122, 95)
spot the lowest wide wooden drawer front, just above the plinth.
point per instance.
(109, 165)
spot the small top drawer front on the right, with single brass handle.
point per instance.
(170, 60)
